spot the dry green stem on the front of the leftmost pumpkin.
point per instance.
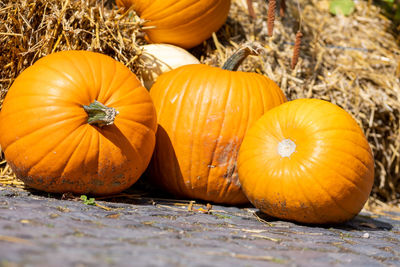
(100, 114)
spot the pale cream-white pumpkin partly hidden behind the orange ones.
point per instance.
(159, 58)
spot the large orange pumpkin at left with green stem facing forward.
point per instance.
(79, 122)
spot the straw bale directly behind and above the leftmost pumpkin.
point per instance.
(30, 30)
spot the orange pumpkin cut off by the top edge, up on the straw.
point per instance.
(184, 23)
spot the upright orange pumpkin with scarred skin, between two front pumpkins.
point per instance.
(203, 113)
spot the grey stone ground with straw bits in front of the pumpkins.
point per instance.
(45, 230)
